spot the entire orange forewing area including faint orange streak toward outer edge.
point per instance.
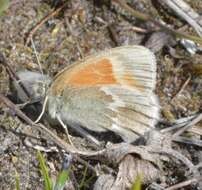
(98, 73)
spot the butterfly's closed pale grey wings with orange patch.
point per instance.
(109, 91)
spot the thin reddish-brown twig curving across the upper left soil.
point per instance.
(42, 21)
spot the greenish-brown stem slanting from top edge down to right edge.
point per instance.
(145, 17)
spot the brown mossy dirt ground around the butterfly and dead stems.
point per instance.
(81, 28)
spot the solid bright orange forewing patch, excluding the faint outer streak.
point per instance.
(98, 73)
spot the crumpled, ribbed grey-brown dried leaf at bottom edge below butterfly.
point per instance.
(129, 169)
